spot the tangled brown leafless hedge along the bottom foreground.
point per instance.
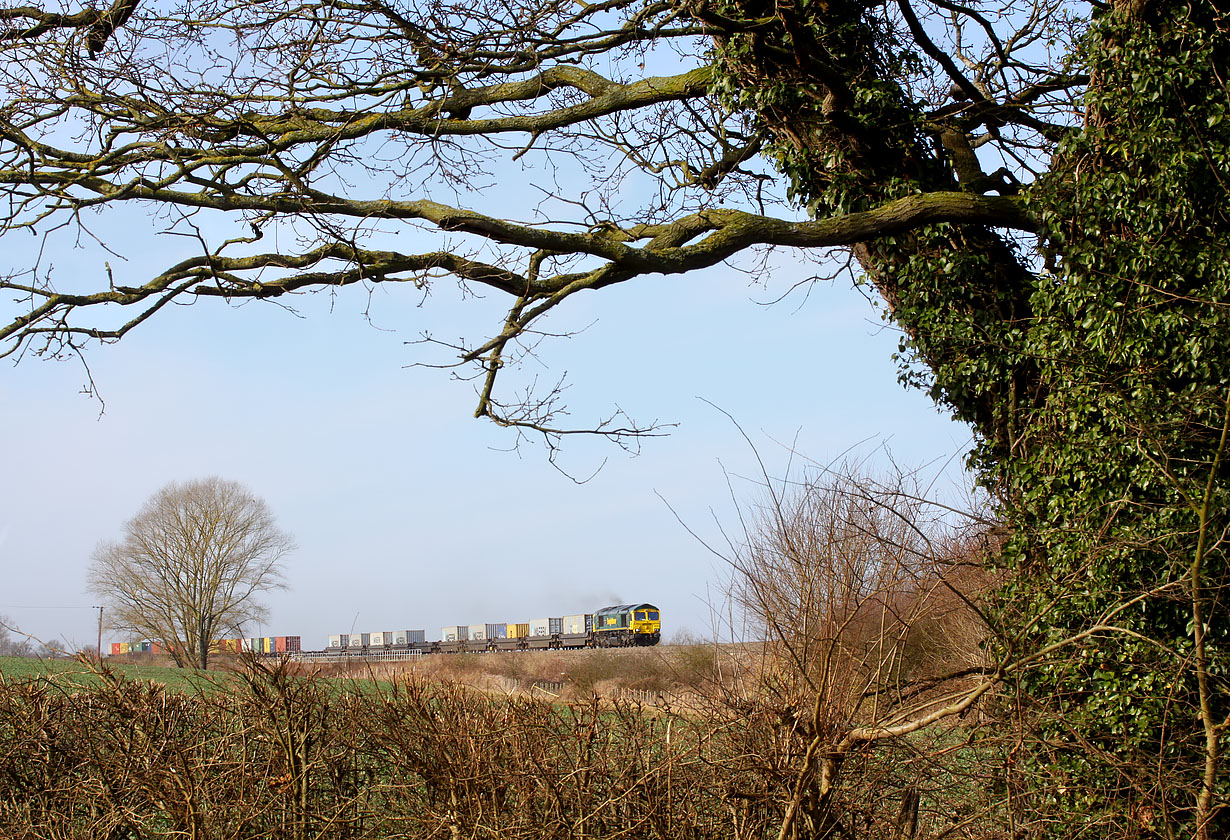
(295, 757)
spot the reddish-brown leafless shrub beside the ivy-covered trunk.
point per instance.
(868, 597)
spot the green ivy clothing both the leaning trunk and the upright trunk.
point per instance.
(1098, 387)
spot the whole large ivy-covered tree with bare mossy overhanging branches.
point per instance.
(1036, 190)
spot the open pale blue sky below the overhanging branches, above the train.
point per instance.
(408, 512)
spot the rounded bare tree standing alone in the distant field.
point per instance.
(191, 566)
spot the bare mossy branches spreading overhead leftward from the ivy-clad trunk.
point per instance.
(344, 130)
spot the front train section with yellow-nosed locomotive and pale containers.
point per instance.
(624, 625)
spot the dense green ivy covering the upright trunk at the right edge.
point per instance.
(1124, 453)
